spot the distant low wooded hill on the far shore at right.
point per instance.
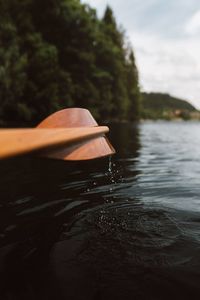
(163, 106)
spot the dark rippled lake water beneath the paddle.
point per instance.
(82, 231)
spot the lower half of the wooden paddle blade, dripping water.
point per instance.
(85, 150)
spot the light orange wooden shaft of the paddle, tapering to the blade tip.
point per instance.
(15, 142)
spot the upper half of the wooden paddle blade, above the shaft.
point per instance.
(69, 117)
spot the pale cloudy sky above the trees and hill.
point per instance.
(165, 35)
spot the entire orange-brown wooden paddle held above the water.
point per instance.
(69, 134)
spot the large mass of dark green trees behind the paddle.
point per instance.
(58, 53)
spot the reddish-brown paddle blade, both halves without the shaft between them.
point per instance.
(76, 117)
